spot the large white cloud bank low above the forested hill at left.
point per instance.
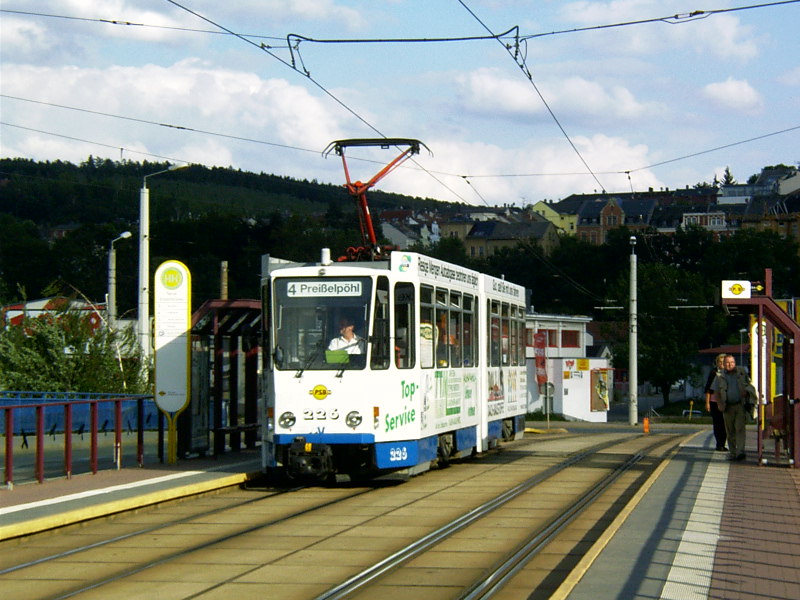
(187, 94)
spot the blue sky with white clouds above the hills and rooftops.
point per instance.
(578, 97)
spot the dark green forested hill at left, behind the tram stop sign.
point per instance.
(58, 219)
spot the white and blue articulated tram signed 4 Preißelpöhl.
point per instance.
(435, 369)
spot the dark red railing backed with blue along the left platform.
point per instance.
(51, 413)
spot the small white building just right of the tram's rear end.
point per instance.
(562, 378)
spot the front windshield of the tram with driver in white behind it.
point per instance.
(321, 323)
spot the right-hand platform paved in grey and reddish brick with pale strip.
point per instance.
(705, 528)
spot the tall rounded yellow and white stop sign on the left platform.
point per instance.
(173, 323)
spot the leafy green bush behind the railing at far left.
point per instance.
(62, 352)
